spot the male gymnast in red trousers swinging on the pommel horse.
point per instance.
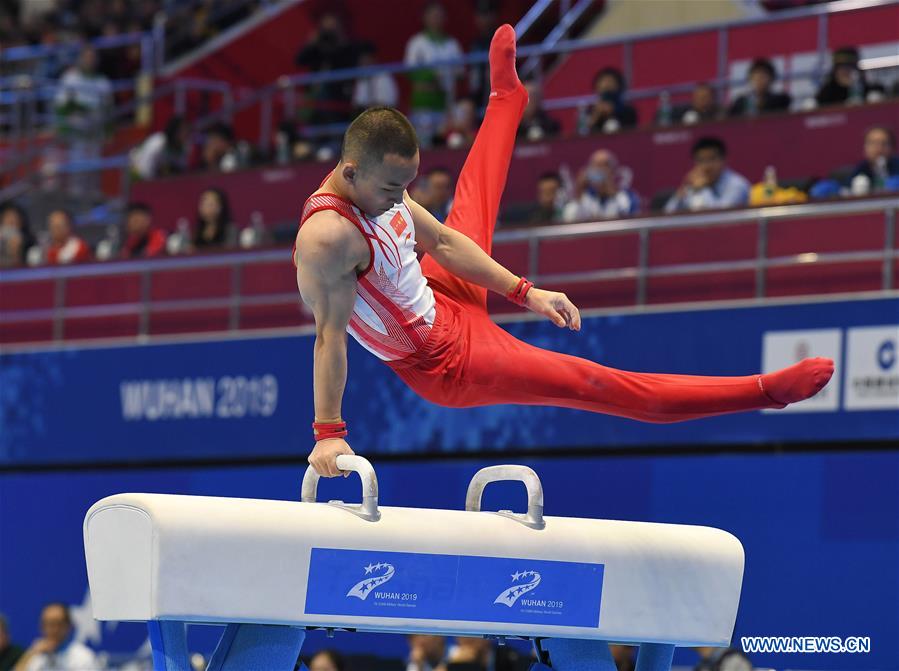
(374, 263)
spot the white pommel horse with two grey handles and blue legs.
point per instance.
(270, 570)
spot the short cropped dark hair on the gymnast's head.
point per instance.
(377, 132)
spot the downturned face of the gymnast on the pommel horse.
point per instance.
(377, 188)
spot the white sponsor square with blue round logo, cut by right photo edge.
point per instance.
(872, 368)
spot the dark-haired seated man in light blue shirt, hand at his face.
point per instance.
(710, 184)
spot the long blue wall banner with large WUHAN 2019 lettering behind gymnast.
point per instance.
(247, 398)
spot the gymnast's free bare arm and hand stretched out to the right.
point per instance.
(464, 258)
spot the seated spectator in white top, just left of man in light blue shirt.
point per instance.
(599, 193)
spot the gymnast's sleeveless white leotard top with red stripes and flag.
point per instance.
(395, 308)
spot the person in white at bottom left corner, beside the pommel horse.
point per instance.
(55, 650)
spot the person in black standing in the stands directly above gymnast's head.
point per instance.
(329, 49)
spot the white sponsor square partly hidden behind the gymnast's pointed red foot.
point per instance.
(784, 348)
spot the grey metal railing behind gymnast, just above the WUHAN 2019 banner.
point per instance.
(642, 271)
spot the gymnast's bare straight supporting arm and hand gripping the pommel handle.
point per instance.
(329, 252)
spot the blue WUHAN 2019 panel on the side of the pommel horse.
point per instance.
(450, 587)
